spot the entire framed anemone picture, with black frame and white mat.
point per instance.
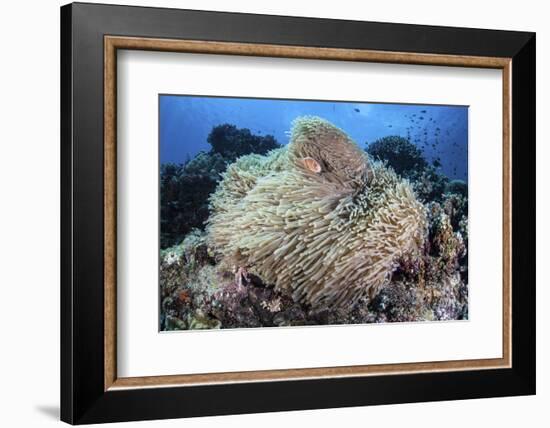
(266, 213)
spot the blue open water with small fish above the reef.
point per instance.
(441, 132)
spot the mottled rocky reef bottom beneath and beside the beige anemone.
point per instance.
(197, 292)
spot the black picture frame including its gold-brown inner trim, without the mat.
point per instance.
(91, 390)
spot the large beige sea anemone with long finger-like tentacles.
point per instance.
(316, 218)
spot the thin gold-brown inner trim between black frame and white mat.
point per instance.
(114, 43)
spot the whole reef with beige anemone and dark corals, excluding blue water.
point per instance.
(315, 233)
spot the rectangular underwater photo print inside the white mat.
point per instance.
(280, 212)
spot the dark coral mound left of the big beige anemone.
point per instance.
(185, 188)
